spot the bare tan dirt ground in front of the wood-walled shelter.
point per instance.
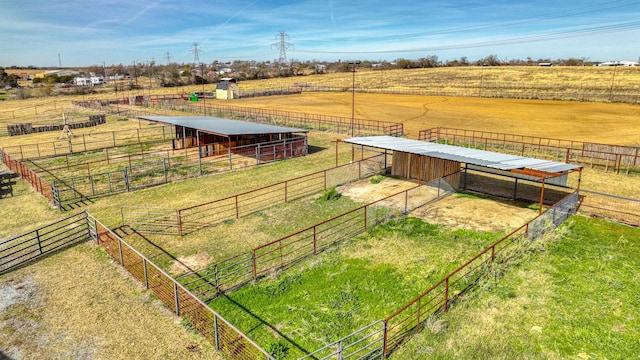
(454, 211)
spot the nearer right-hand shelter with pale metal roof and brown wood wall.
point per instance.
(428, 161)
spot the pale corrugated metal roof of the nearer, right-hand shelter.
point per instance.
(488, 159)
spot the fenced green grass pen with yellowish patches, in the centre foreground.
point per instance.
(350, 285)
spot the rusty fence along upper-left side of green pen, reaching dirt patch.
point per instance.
(237, 271)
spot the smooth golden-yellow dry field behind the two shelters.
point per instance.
(595, 122)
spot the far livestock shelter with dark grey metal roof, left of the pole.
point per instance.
(217, 136)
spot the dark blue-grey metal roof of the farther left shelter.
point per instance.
(222, 126)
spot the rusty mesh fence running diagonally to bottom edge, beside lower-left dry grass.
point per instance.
(227, 338)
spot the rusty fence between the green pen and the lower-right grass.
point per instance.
(408, 319)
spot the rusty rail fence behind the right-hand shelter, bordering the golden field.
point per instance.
(614, 157)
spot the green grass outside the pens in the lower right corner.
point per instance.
(574, 297)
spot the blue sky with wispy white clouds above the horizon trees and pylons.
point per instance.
(86, 32)
